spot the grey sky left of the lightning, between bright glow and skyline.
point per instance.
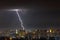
(8, 20)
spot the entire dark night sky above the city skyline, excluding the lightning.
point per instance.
(41, 14)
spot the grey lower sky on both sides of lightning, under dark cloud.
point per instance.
(32, 19)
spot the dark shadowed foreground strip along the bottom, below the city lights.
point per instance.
(41, 38)
